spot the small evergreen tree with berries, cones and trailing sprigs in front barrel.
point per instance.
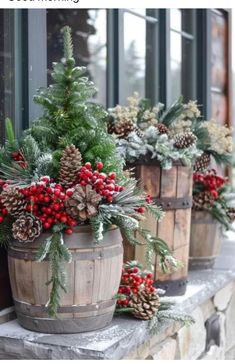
(65, 172)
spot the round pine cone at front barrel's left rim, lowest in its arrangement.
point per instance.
(26, 228)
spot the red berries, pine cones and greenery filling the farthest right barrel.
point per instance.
(210, 193)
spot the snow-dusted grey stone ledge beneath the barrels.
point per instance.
(125, 335)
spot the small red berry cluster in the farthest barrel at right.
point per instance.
(210, 182)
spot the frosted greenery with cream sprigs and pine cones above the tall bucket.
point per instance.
(175, 134)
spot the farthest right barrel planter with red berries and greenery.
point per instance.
(211, 213)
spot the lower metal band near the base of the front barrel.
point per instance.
(27, 308)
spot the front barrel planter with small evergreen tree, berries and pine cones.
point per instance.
(64, 204)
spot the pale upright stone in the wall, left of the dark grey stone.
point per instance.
(191, 340)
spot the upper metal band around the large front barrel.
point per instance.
(93, 255)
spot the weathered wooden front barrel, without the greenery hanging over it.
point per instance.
(93, 279)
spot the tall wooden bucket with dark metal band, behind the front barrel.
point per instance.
(173, 190)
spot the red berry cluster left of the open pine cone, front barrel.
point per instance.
(46, 200)
